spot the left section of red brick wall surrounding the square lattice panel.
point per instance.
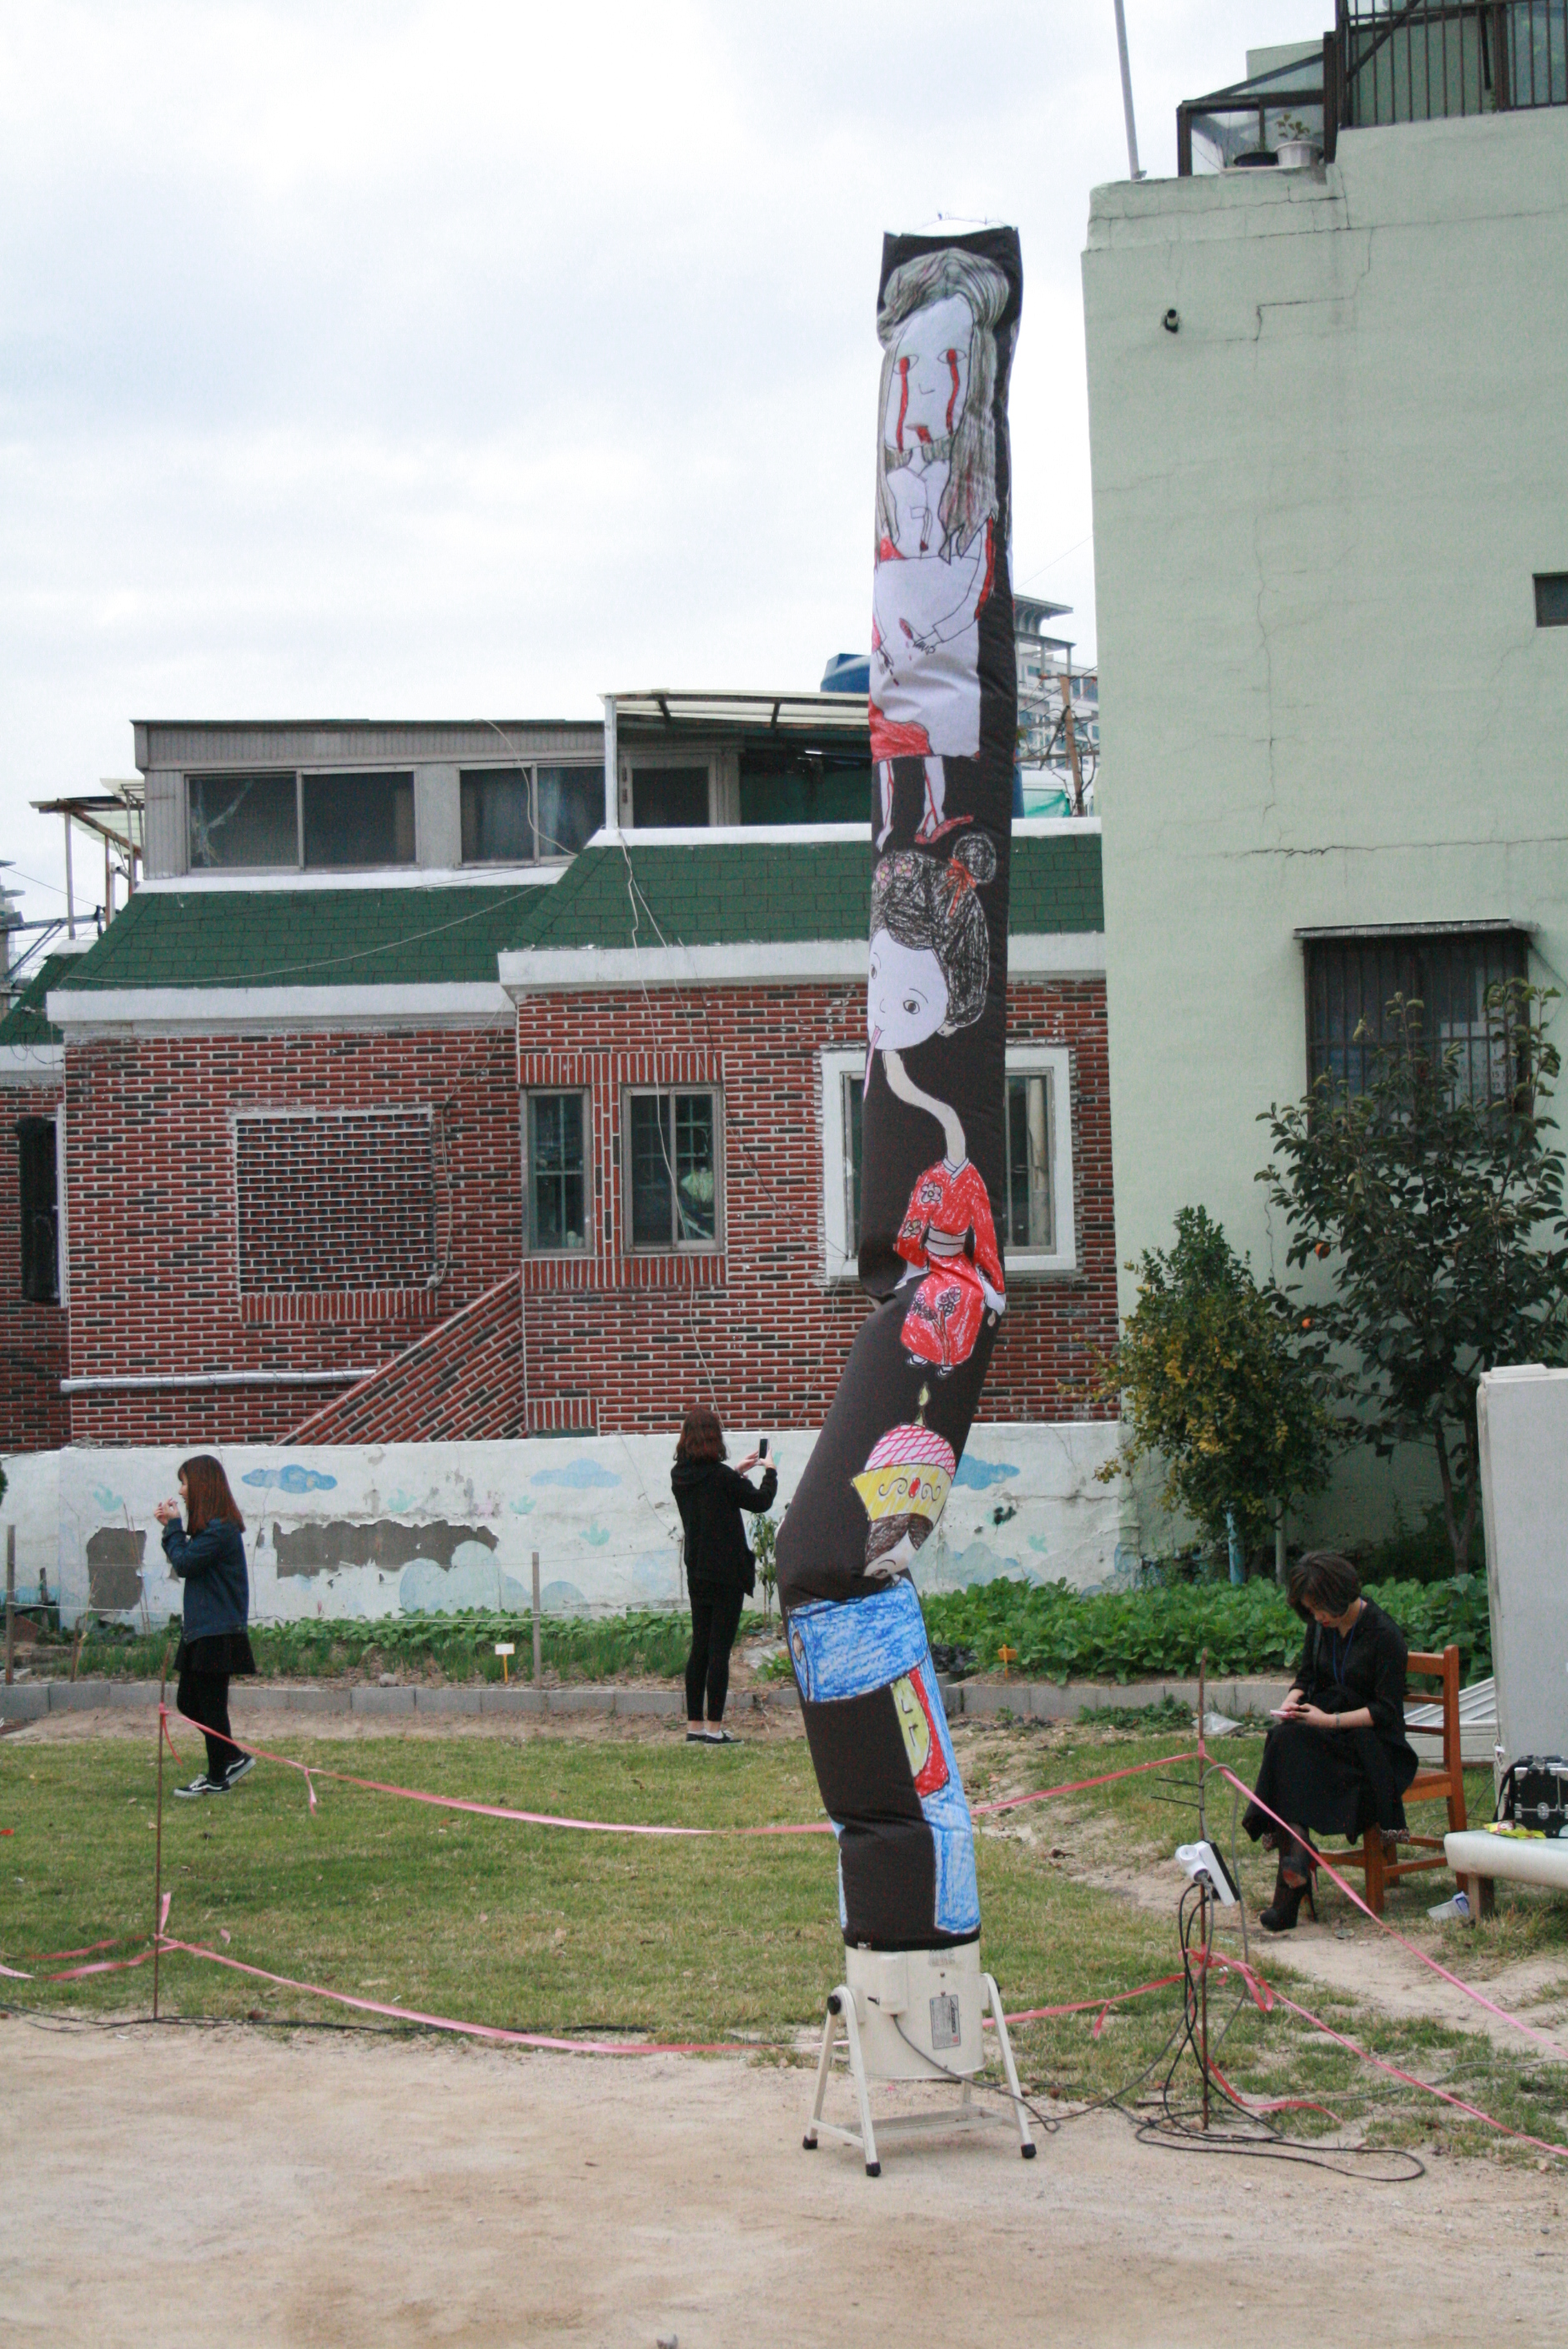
(154, 1227)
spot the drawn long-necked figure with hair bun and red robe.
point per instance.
(931, 967)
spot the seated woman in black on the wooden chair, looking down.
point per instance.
(1339, 1761)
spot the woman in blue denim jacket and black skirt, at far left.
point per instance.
(208, 1556)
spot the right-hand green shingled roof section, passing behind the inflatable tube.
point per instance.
(778, 894)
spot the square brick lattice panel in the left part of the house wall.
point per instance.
(337, 1202)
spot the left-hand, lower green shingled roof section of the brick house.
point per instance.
(309, 938)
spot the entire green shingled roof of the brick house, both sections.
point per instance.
(722, 896)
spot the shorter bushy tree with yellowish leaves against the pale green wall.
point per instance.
(1212, 1382)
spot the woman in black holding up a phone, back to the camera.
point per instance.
(719, 1568)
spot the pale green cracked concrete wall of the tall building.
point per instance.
(1325, 699)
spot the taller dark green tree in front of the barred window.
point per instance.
(1445, 1223)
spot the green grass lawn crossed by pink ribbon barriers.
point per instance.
(557, 1932)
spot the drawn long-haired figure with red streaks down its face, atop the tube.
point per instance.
(935, 518)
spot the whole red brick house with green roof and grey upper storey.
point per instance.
(466, 1082)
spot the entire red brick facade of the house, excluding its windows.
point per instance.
(604, 1340)
